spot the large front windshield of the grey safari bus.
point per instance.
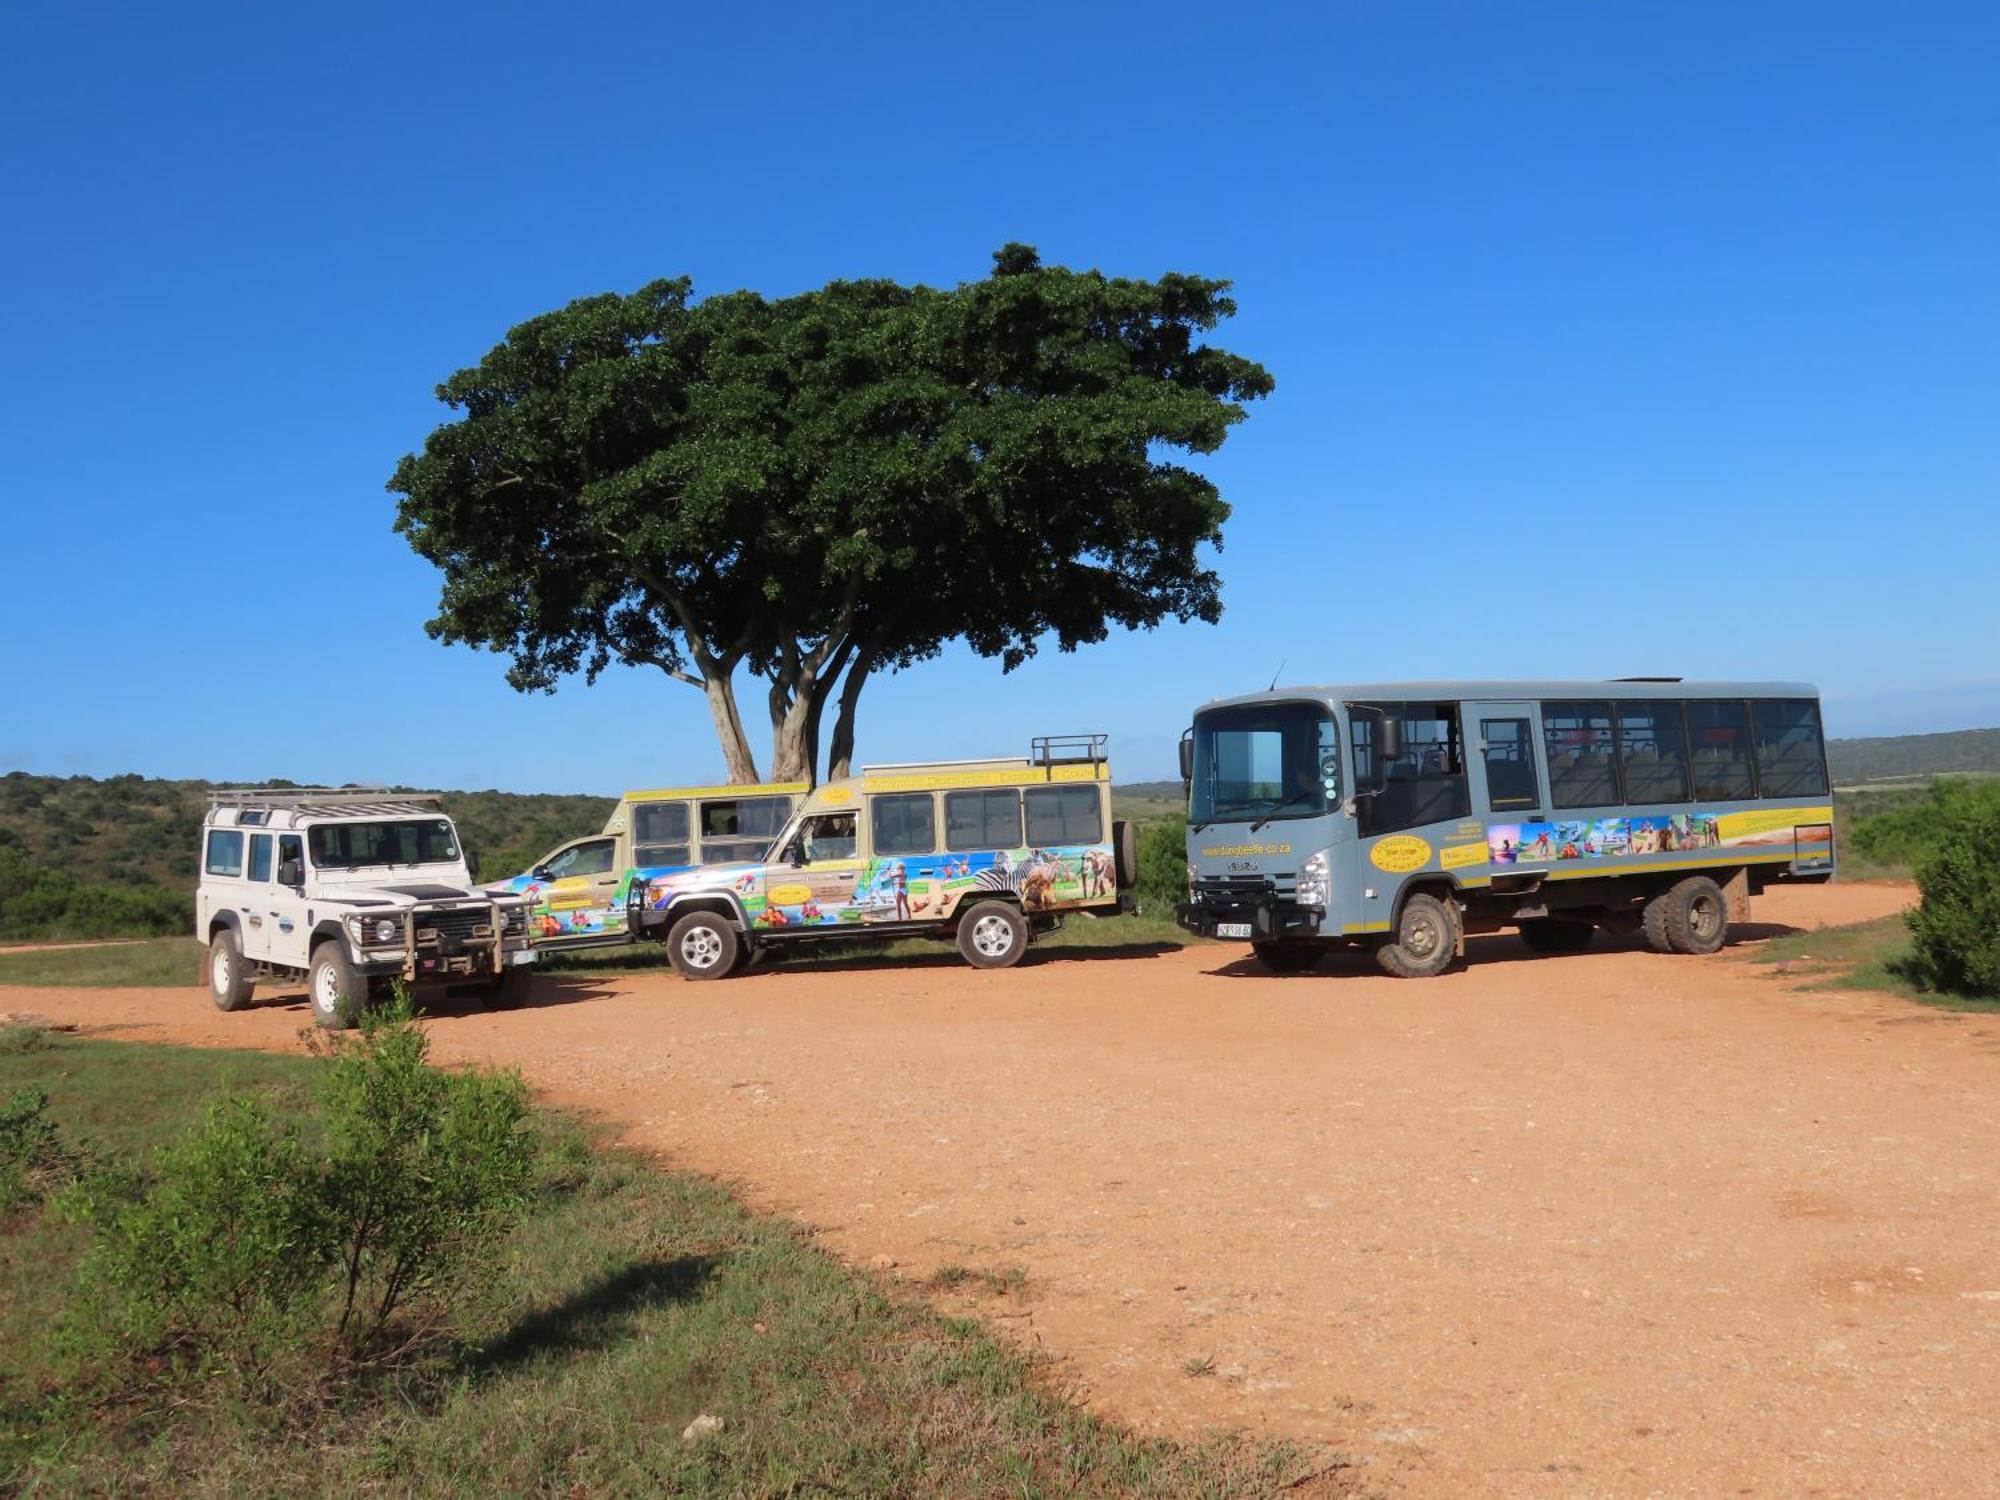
(1259, 763)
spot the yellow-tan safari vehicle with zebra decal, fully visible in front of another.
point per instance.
(981, 853)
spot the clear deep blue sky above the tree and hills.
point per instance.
(1609, 341)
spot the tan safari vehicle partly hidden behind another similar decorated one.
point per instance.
(577, 893)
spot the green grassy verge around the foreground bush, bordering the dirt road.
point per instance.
(629, 1303)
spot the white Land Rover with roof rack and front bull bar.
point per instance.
(353, 889)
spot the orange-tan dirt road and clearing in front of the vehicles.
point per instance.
(1603, 1225)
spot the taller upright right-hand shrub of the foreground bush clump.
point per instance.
(423, 1169)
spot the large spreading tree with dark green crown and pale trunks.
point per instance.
(829, 485)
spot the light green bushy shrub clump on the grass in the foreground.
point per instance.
(263, 1237)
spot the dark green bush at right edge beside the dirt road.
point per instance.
(1957, 925)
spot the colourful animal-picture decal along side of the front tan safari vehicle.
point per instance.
(899, 889)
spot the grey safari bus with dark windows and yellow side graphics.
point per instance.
(1401, 817)
